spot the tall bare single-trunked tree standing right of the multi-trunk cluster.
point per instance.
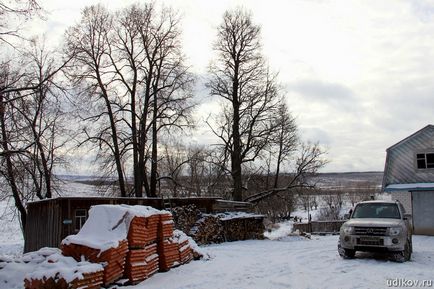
(241, 78)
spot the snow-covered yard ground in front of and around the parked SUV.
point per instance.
(293, 262)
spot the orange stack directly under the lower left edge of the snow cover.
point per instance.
(113, 258)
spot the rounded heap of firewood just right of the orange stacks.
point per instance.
(208, 230)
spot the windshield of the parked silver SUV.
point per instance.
(376, 210)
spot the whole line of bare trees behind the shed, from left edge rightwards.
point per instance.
(121, 88)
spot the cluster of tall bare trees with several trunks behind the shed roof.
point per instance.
(132, 62)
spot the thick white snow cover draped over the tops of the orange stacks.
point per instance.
(107, 225)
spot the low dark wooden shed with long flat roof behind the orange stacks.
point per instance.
(50, 221)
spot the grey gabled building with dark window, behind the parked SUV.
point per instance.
(409, 177)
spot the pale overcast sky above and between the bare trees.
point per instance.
(359, 75)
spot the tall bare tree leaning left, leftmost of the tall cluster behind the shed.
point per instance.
(87, 43)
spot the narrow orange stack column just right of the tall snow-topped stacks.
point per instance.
(167, 248)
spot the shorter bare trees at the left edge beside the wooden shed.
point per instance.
(31, 118)
